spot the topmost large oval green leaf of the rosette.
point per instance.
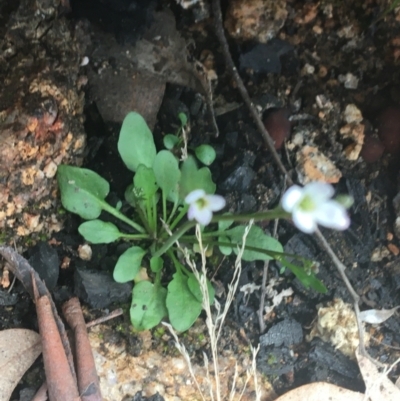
(136, 144)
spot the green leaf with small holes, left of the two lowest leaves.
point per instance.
(148, 305)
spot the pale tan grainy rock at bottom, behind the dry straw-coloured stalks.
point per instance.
(122, 375)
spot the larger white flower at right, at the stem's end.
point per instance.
(312, 205)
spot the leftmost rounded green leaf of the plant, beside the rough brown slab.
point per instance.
(82, 191)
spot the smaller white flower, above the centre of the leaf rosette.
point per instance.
(202, 206)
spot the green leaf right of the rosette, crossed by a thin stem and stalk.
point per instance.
(255, 238)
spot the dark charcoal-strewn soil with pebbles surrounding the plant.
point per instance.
(326, 78)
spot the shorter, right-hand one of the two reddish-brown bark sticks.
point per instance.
(88, 381)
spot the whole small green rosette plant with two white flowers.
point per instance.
(164, 189)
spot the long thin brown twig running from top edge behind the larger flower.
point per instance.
(216, 7)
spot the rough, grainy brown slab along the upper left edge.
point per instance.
(41, 123)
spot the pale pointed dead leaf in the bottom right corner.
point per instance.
(378, 386)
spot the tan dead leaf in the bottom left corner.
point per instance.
(18, 350)
